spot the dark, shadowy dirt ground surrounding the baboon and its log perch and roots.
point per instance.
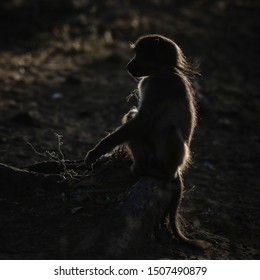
(62, 70)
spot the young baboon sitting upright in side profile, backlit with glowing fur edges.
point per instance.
(158, 132)
